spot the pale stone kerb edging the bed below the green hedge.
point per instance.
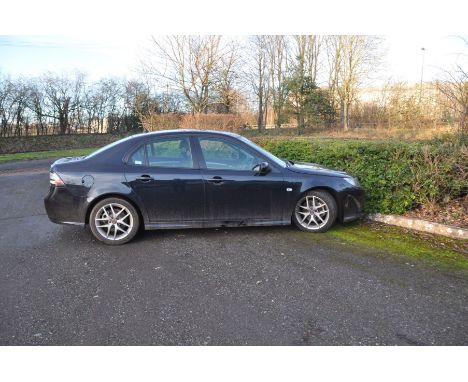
(421, 225)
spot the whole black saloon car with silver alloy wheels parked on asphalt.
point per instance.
(192, 178)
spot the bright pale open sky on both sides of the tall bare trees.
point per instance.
(101, 56)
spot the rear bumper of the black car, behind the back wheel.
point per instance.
(62, 207)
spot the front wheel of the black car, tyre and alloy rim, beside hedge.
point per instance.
(315, 211)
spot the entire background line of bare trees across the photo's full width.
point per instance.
(303, 80)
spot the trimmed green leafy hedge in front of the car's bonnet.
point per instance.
(396, 176)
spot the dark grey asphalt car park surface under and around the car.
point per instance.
(245, 286)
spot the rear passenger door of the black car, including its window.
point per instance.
(167, 179)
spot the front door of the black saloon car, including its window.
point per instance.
(234, 192)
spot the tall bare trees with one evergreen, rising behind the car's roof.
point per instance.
(282, 73)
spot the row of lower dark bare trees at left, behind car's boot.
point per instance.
(63, 104)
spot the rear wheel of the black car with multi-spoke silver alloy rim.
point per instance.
(114, 221)
